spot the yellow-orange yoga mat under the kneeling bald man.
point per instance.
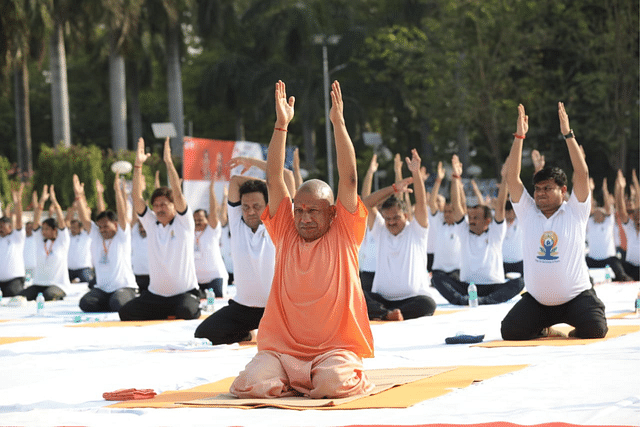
(434, 382)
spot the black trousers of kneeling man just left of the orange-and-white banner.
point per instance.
(149, 306)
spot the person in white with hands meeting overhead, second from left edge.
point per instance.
(52, 273)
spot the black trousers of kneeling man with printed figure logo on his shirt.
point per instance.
(528, 317)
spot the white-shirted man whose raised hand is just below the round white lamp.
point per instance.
(111, 249)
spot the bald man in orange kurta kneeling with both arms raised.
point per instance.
(315, 329)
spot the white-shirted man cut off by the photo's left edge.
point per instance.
(12, 239)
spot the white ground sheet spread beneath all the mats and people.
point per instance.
(59, 380)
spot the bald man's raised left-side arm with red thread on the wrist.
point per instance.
(276, 154)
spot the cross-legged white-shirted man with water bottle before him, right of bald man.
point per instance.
(481, 235)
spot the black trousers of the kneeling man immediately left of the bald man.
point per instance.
(232, 323)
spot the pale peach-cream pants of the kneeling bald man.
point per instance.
(336, 374)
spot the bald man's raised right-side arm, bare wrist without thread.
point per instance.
(345, 153)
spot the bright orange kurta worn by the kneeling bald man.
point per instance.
(316, 302)
